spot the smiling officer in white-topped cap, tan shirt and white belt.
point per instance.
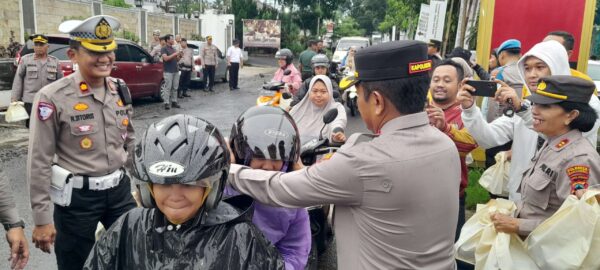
(80, 126)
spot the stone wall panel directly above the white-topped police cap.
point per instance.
(50, 13)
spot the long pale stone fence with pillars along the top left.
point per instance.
(25, 17)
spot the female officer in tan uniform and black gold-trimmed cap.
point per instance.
(567, 162)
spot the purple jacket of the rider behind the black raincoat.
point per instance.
(287, 228)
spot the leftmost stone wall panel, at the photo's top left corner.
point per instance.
(9, 20)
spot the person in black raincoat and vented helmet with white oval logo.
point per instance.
(184, 163)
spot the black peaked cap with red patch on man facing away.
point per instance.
(388, 61)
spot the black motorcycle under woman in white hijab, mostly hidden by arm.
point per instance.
(312, 152)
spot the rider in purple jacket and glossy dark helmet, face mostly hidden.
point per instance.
(267, 138)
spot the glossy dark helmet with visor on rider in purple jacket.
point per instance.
(265, 132)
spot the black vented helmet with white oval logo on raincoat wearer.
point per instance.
(182, 149)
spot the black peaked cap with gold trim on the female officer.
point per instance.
(559, 88)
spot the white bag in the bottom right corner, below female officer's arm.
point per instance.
(569, 239)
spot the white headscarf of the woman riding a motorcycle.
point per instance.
(309, 117)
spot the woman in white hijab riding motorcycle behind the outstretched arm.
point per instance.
(308, 113)
